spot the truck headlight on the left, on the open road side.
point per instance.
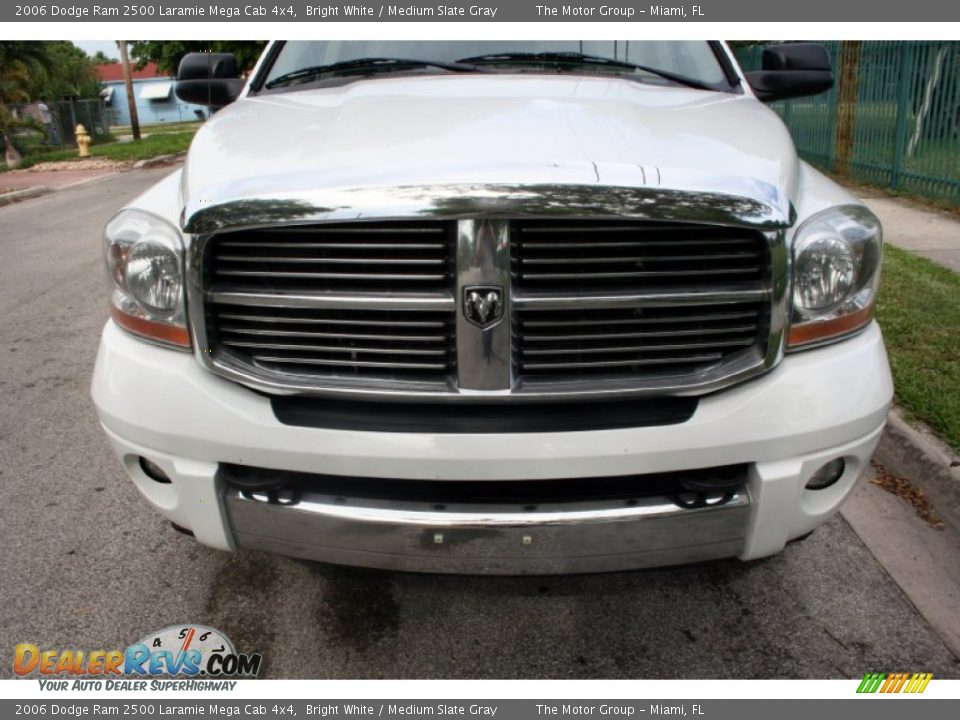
(145, 271)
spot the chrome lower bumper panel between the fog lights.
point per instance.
(598, 536)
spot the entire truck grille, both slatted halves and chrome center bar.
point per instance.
(591, 306)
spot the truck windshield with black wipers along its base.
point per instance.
(658, 62)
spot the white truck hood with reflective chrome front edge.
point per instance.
(490, 144)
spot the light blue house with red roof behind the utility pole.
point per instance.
(153, 90)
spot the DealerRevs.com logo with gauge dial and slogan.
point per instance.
(177, 651)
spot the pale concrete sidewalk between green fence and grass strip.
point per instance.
(931, 233)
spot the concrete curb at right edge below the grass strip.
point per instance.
(926, 461)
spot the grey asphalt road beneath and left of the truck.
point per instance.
(86, 564)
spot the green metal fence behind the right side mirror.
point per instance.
(892, 118)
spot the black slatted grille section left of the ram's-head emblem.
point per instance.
(334, 302)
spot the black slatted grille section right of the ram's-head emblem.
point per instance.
(595, 266)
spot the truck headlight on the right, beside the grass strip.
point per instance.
(836, 269)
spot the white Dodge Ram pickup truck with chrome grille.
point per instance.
(495, 307)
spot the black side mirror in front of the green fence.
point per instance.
(792, 70)
